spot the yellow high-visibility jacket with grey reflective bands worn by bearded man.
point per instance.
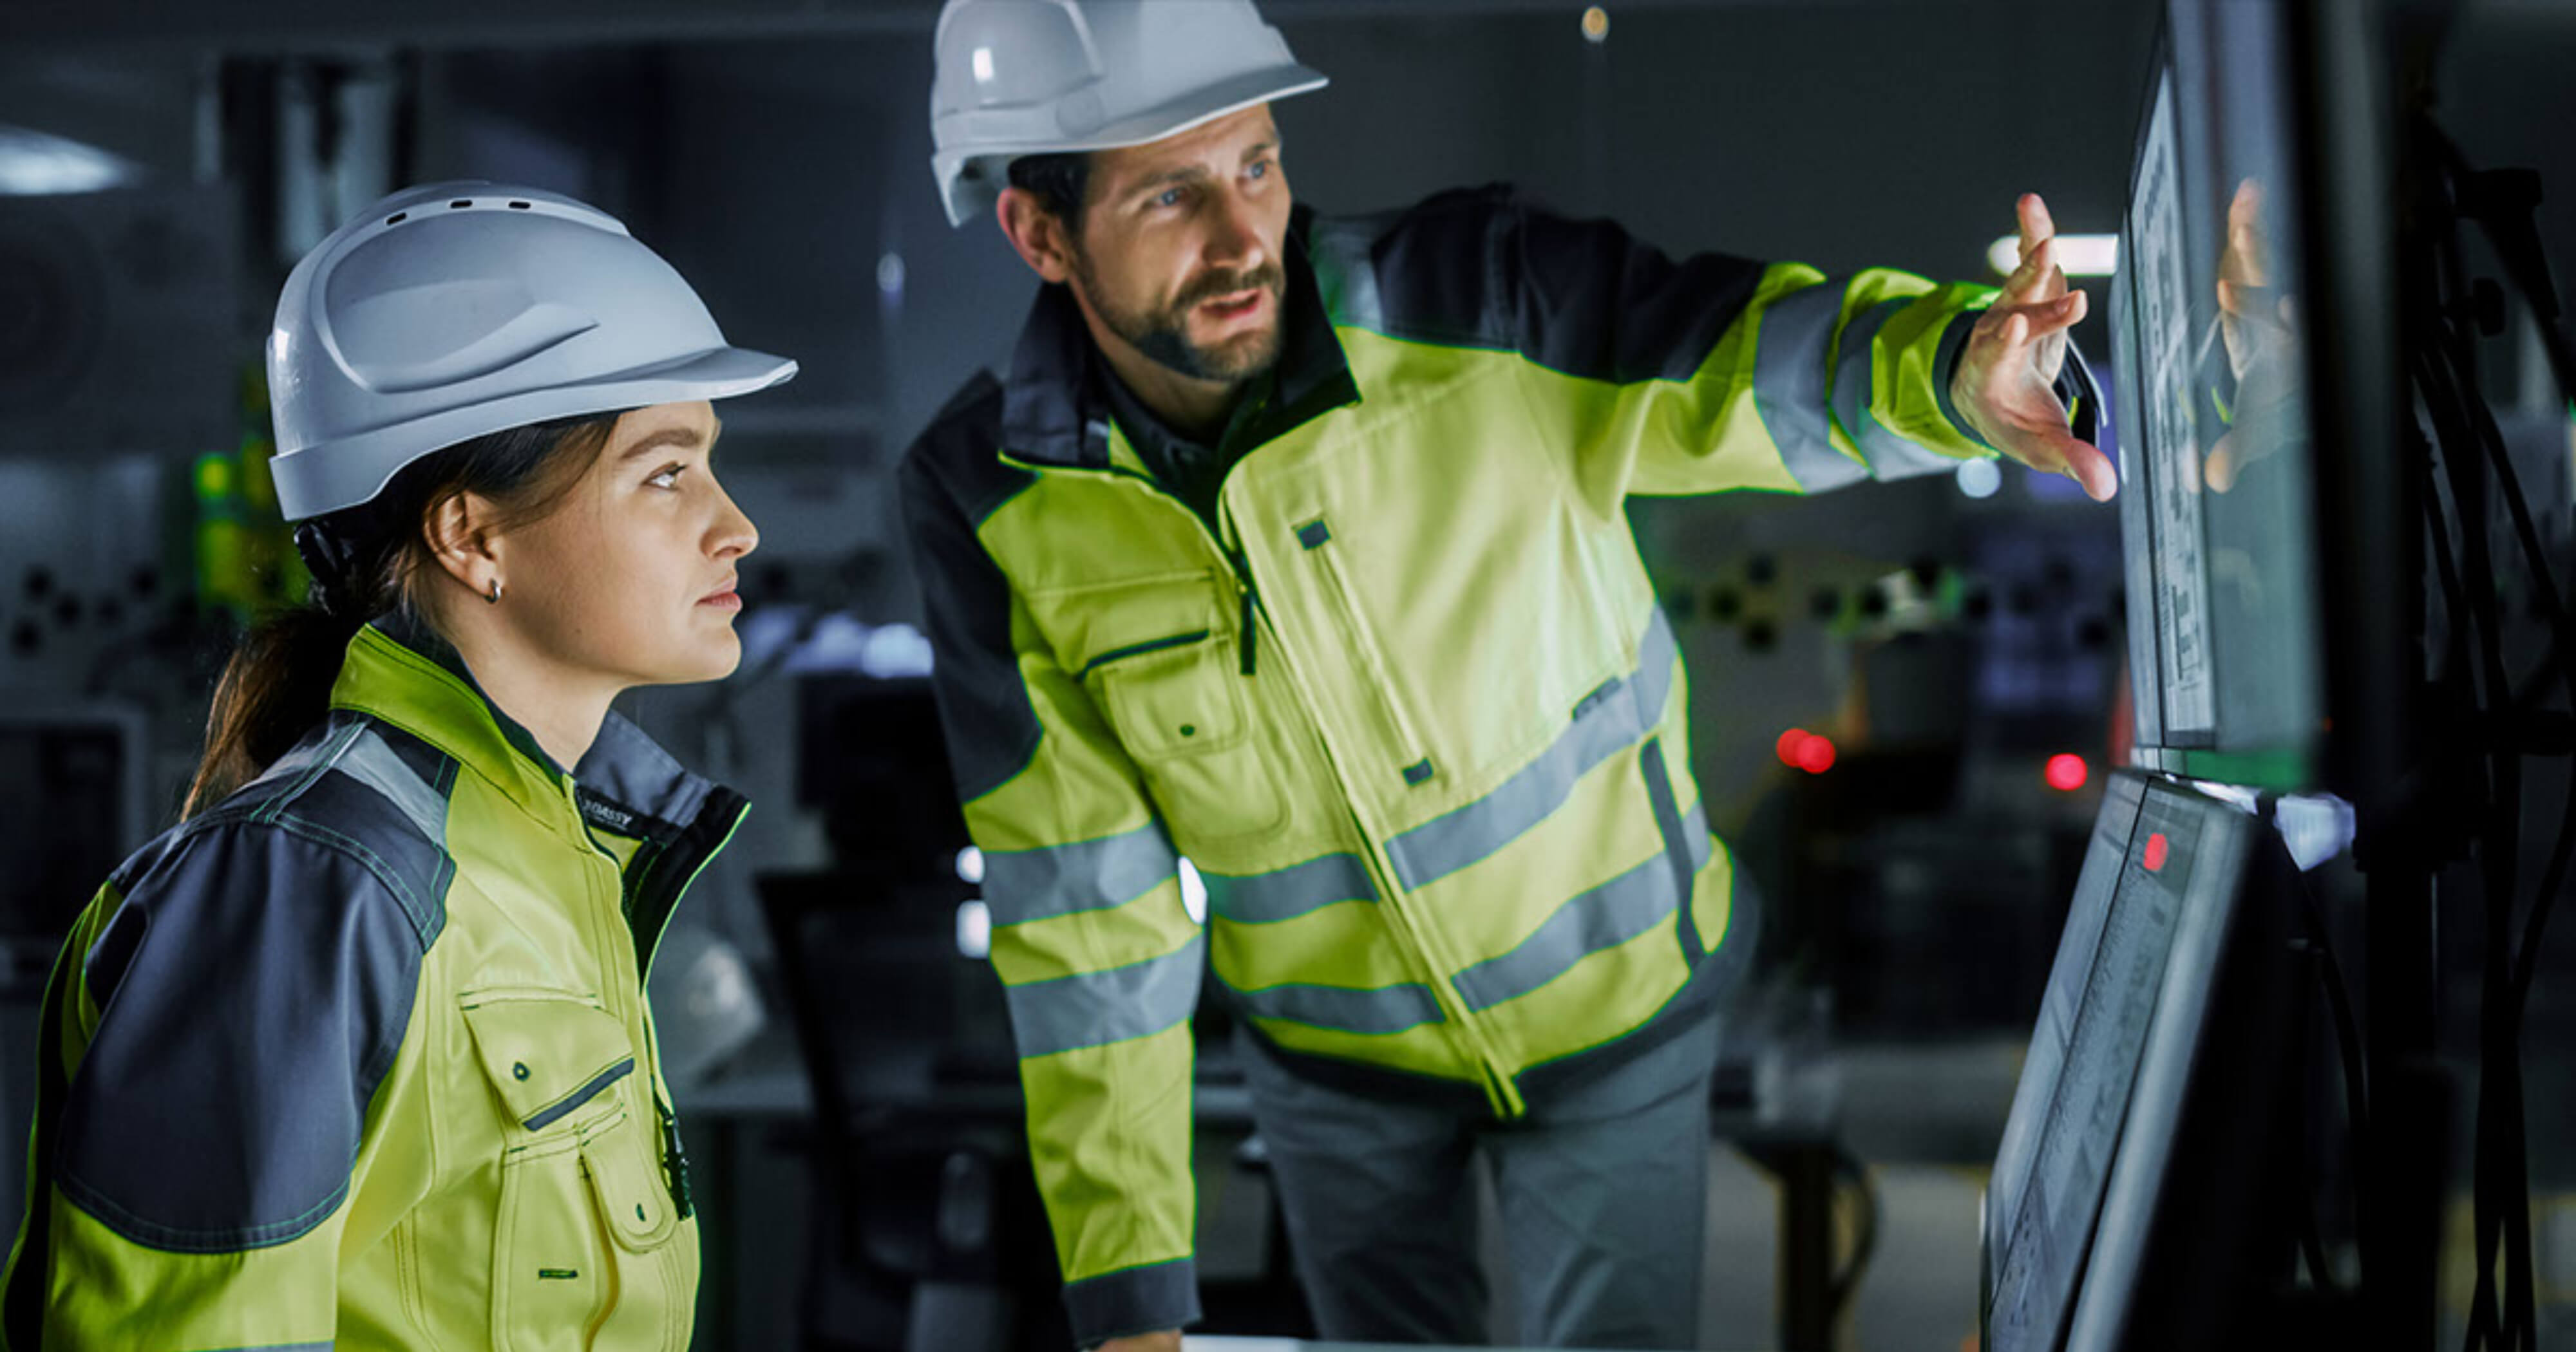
(1408, 704)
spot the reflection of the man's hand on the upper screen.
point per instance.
(2258, 328)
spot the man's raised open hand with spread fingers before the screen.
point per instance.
(2005, 382)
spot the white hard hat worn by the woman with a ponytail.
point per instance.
(457, 310)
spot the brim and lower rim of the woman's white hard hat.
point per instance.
(334, 475)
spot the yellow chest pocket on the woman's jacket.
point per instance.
(578, 1181)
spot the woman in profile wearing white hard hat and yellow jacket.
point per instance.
(357, 1055)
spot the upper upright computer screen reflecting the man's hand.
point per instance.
(2209, 370)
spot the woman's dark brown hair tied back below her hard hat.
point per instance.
(370, 560)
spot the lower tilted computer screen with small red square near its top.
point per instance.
(2119, 1034)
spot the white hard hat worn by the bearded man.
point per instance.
(1055, 76)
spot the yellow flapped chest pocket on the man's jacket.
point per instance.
(1166, 671)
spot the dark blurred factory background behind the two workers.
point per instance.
(1905, 699)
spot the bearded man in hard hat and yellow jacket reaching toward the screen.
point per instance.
(1297, 547)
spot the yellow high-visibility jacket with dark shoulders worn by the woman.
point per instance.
(362, 1057)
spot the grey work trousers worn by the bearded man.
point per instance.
(1601, 1199)
